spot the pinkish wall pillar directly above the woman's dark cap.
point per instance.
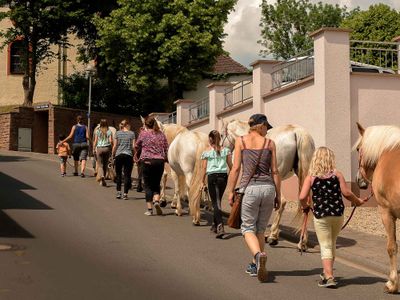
(262, 82)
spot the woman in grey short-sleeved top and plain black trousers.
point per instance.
(122, 150)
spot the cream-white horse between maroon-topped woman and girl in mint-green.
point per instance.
(184, 159)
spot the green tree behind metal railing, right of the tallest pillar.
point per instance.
(379, 23)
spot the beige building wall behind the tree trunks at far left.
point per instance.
(11, 91)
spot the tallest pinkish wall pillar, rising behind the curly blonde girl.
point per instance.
(332, 82)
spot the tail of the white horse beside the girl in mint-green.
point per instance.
(197, 180)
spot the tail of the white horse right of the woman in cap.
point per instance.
(305, 150)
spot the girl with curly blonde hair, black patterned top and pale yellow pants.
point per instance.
(327, 186)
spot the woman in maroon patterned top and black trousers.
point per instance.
(153, 148)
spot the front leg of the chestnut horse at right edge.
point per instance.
(390, 226)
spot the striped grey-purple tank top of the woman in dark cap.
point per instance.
(263, 171)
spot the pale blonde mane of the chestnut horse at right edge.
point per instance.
(375, 141)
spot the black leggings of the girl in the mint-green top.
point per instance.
(216, 188)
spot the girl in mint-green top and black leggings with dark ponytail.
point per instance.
(216, 160)
